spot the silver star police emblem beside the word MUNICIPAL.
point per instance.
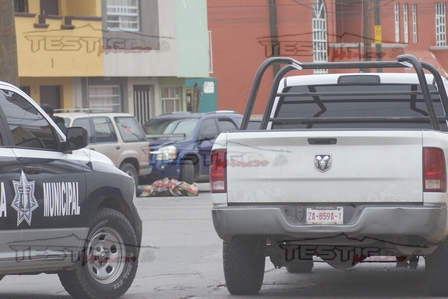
(24, 201)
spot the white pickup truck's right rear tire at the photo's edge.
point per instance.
(436, 270)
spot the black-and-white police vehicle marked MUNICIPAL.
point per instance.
(64, 209)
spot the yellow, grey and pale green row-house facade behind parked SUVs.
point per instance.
(121, 55)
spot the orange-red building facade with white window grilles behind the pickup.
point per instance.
(245, 33)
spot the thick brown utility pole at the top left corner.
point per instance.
(9, 69)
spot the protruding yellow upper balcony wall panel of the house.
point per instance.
(56, 52)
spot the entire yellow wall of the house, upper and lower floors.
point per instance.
(53, 56)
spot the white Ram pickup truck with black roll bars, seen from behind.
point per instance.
(345, 166)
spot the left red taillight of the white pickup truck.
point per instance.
(218, 166)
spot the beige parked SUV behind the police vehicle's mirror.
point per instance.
(116, 135)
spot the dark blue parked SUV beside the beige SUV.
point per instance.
(181, 143)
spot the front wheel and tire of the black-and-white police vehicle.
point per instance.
(118, 272)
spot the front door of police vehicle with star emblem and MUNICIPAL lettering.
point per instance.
(44, 194)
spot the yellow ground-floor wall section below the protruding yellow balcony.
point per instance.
(35, 83)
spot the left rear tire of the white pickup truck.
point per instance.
(243, 261)
